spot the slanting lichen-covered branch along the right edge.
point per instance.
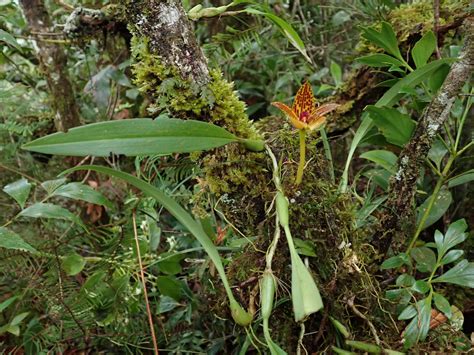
(403, 185)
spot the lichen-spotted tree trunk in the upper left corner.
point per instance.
(53, 63)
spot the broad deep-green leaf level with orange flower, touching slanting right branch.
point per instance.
(396, 127)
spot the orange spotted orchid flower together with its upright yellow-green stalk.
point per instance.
(304, 115)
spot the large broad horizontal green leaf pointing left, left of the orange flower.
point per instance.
(133, 137)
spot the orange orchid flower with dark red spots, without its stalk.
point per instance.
(304, 114)
